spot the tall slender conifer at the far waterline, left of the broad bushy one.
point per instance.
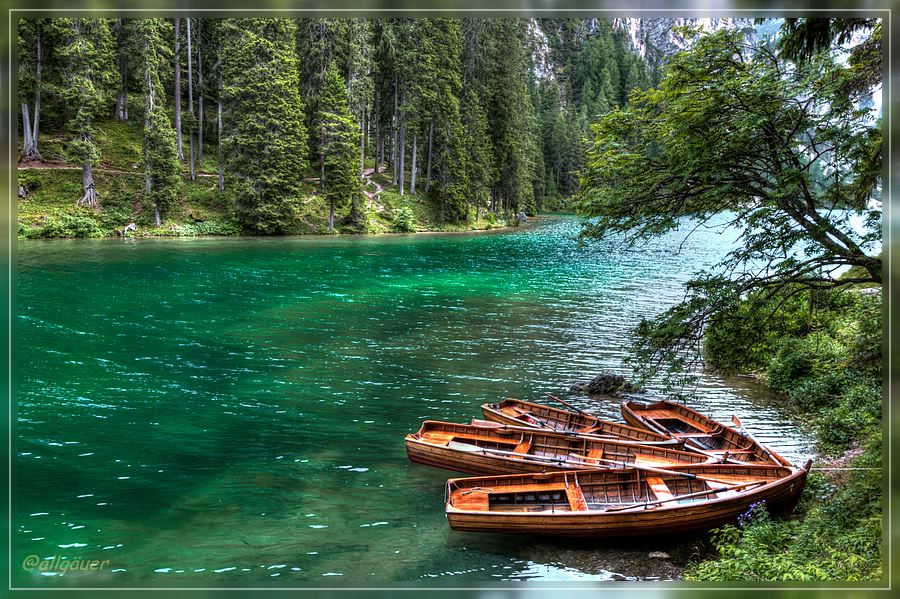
(160, 154)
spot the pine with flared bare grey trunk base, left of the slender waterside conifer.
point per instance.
(90, 74)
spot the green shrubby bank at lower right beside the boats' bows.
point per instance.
(827, 362)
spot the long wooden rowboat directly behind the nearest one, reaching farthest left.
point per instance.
(508, 450)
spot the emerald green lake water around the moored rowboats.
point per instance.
(232, 411)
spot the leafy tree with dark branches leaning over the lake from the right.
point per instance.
(724, 133)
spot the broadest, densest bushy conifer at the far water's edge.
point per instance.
(264, 138)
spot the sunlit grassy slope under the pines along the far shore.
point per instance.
(54, 186)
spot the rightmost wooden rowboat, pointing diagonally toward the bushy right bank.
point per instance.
(699, 432)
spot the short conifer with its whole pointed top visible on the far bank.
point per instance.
(339, 150)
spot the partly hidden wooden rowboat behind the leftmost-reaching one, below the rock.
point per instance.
(517, 412)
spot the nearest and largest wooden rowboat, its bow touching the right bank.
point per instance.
(620, 502)
